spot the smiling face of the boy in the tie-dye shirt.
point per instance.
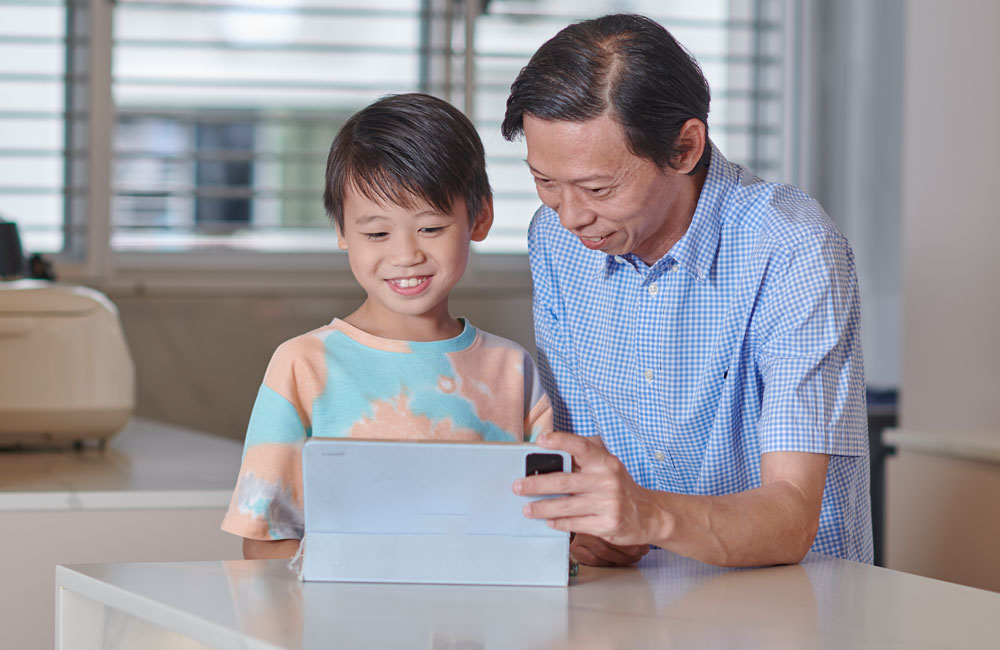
(408, 259)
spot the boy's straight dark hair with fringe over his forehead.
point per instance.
(406, 146)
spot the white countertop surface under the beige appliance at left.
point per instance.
(147, 465)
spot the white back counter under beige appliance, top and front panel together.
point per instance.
(155, 493)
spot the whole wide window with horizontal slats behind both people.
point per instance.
(224, 109)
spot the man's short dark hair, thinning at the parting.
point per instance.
(625, 64)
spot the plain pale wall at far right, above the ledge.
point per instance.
(951, 220)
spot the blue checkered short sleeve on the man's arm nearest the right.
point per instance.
(810, 352)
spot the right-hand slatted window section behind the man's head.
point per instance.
(739, 45)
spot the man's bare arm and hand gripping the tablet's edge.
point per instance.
(773, 524)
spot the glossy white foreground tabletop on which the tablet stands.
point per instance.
(666, 602)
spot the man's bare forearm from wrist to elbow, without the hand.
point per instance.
(773, 524)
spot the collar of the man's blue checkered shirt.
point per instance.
(695, 251)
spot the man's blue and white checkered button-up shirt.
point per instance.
(743, 339)
